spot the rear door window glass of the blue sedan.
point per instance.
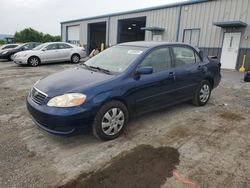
(184, 56)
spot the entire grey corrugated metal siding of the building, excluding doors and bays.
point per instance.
(199, 15)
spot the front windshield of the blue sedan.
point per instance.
(115, 59)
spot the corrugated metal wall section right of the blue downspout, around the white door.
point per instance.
(203, 15)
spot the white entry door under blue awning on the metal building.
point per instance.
(230, 50)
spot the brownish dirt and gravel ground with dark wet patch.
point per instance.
(182, 146)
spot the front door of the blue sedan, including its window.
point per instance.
(153, 91)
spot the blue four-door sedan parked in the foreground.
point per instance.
(121, 82)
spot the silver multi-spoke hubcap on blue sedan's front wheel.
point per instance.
(112, 121)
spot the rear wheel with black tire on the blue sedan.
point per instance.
(198, 99)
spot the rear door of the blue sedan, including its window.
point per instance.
(189, 71)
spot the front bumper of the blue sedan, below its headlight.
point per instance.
(60, 121)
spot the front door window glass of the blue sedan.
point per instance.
(158, 59)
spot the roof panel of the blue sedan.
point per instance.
(151, 44)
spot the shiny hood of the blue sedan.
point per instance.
(71, 80)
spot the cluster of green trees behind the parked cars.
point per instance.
(31, 35)
